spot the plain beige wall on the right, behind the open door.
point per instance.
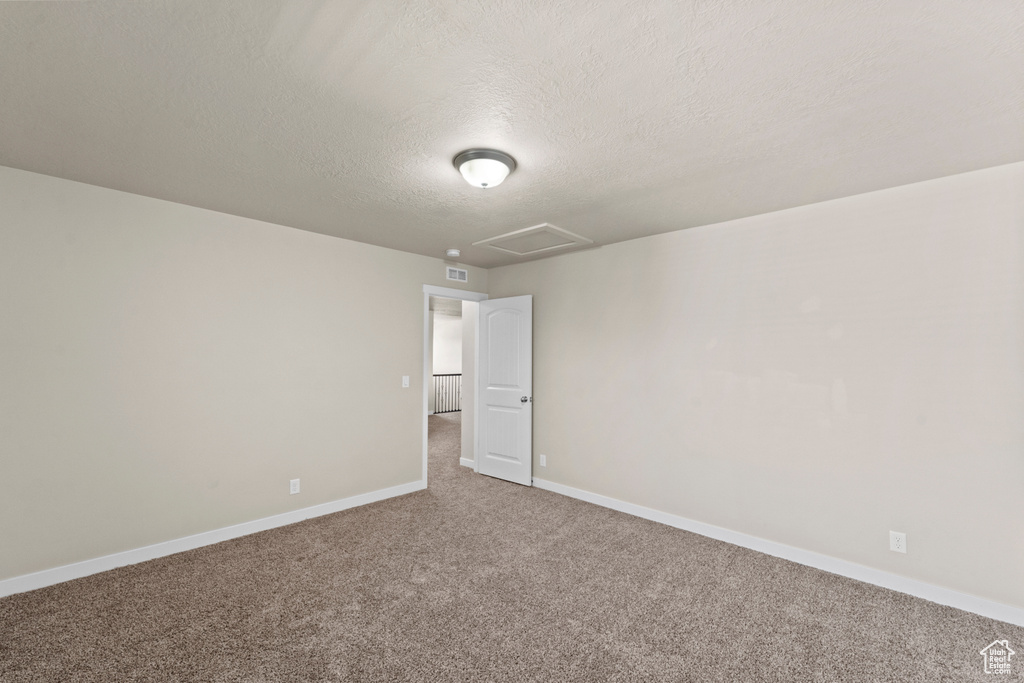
(816, 377)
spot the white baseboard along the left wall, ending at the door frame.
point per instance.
(31, 582)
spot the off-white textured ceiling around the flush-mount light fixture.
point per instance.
(627, 118)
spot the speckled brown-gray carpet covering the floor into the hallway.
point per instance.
(478, 580)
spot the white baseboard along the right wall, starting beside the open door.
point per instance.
(944, 596)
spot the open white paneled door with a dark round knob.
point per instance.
(505, 390)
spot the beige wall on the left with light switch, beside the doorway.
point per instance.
(166, 370)
